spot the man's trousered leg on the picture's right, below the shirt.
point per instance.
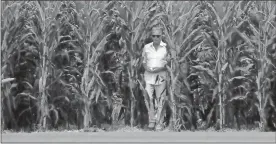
(160, 91)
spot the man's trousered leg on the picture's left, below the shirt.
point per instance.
(150, 89)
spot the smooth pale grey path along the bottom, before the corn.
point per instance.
(141, 137)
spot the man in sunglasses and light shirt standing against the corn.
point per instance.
(155, 56)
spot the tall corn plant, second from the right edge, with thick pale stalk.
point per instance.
(222, 41)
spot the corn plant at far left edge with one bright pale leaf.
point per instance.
(8, 17)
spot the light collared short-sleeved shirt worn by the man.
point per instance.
(155, 58)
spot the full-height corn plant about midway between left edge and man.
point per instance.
(91, 83)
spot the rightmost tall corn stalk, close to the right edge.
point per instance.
(262, 36)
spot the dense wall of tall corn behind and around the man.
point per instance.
(77, 64)
